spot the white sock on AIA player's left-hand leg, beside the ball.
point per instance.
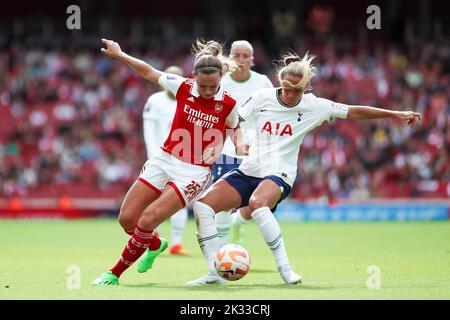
(206, 232)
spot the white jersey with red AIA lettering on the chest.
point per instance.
(280, 129)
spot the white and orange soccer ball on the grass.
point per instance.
(232, 262)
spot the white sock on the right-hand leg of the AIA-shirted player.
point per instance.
(271, 232)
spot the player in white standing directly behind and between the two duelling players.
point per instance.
(240, 83)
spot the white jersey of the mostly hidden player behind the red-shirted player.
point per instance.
(158, 114)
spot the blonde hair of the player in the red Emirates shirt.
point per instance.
(209, 58)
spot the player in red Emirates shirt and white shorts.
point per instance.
(182, 168)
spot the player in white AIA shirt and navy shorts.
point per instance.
(281, 117)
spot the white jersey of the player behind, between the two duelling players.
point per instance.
(240, 91)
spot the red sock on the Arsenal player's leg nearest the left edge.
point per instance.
(136, 246)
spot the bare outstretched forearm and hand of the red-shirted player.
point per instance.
(144, 69)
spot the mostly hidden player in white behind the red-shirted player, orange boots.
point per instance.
(158, 114)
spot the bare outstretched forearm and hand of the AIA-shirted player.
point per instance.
(364, 113)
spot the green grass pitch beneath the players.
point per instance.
(333, 258)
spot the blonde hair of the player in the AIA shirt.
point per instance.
(302, 68)
